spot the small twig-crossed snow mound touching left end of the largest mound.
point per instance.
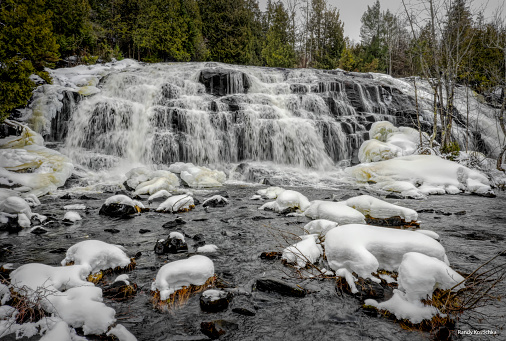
(307, 250)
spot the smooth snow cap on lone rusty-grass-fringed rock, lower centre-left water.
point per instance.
(173, 276)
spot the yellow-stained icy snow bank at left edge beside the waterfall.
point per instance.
(28, 167)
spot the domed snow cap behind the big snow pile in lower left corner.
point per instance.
(97, 255)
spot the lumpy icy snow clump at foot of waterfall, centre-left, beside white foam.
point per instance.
(198, 177)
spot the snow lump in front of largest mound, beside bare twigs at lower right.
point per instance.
(419, 276)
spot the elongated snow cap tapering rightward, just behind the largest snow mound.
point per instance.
(376, 208)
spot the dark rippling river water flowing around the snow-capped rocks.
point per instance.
(324, 314)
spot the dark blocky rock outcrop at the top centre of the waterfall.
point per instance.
(222, 82)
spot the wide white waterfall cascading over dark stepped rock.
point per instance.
(218, 114)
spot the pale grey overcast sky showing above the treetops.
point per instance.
(351, 11)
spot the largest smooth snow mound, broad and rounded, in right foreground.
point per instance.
(364, 249)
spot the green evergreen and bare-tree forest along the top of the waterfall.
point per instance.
(441, 40)
